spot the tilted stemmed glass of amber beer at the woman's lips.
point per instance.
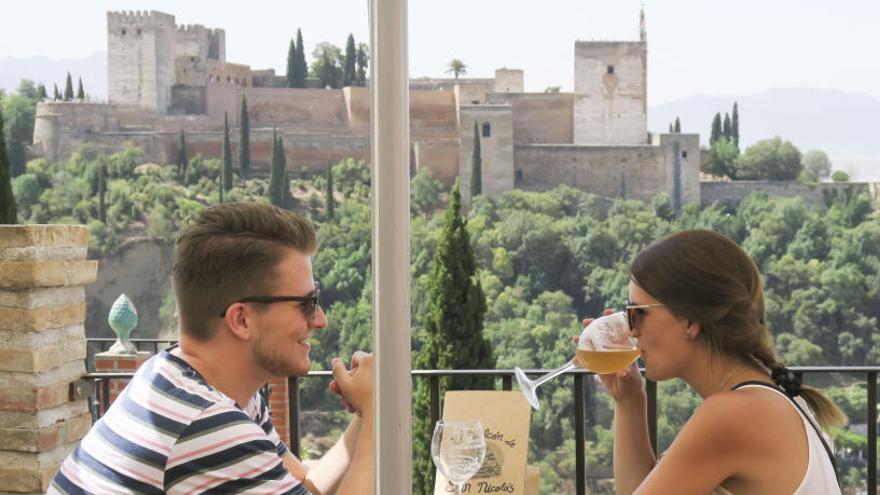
(605, 346)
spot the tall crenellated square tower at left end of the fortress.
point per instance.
(140, 63)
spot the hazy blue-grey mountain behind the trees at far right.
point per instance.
(843, 124)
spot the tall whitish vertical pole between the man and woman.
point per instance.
(389, 135)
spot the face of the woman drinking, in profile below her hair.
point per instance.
(660, 334)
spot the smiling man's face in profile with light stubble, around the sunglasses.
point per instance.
(282, 346)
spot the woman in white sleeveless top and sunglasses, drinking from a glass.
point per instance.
(696, 307)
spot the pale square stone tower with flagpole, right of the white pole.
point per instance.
(610, 92)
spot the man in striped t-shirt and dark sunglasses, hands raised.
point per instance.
(192, 419)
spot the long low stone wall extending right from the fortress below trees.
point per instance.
(733, 192)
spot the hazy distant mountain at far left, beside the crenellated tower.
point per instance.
(93, 70)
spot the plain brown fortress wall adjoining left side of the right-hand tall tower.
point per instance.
(539, 117)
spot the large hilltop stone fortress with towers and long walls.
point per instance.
(164, 78)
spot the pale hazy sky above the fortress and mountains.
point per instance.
(695, 46)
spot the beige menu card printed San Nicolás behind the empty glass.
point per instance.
(505, 417)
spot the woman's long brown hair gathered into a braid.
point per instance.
(705, 277)
